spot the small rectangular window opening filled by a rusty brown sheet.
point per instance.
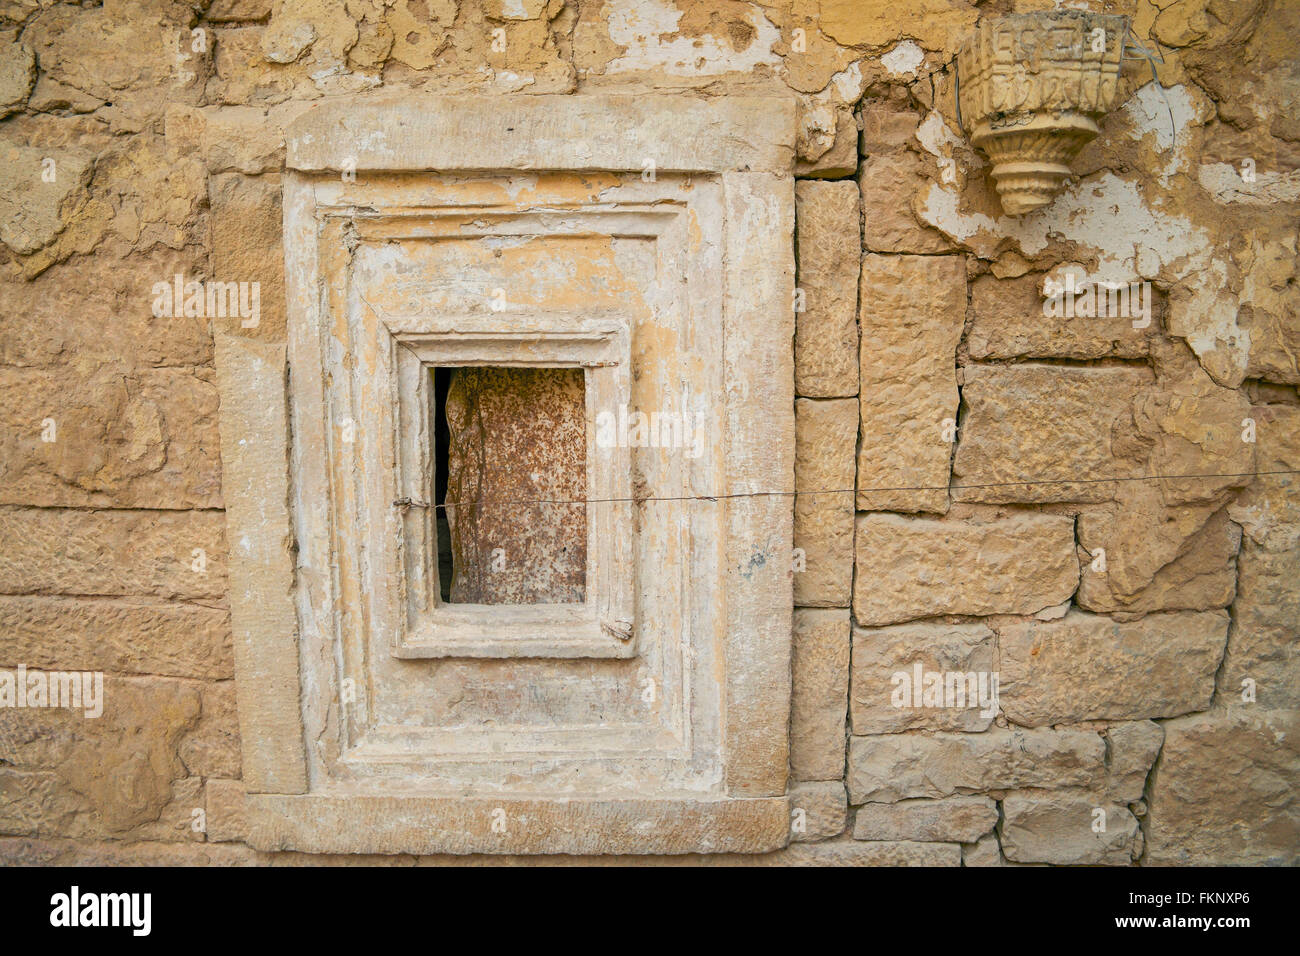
(510, 469)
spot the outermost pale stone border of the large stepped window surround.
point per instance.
(278, 453)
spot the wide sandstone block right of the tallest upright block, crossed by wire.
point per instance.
(1030, 430)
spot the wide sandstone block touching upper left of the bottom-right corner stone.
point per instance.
(1090, 668)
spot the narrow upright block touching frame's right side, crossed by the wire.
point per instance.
(825, 442)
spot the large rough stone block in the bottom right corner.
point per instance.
(1225, 790)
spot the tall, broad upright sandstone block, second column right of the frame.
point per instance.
(912, 313)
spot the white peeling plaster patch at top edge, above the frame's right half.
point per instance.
(639, 25)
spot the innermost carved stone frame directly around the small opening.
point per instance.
(604, 625)
